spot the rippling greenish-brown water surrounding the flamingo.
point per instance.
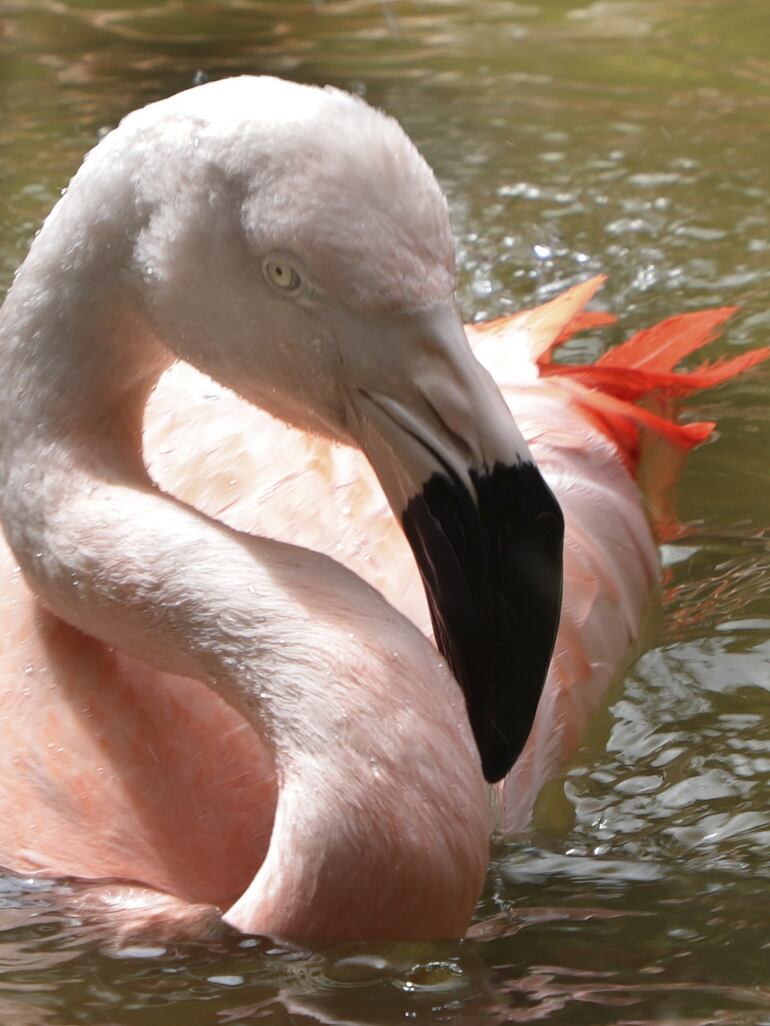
(632, 138)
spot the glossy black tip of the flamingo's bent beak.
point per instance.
(491, 563)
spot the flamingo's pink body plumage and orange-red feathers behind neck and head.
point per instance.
(111, 770)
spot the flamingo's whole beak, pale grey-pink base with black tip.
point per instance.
(484, 527)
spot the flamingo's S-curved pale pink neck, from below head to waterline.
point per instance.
(381, 826)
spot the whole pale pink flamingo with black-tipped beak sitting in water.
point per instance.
(230, 357)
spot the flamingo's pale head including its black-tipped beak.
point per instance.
(296, 247)
